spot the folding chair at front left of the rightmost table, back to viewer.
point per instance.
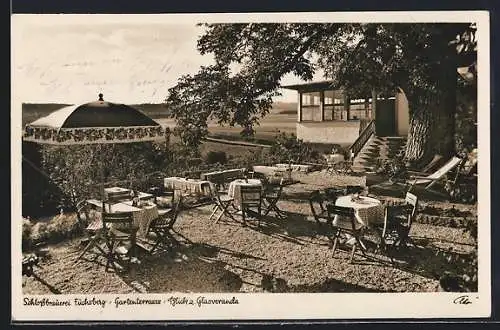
(351, 227)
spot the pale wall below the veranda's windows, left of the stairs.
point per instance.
(341, 132)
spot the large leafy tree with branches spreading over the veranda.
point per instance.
(251, 59)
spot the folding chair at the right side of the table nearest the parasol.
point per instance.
(162, 226)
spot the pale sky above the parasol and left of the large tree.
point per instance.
(130, 60)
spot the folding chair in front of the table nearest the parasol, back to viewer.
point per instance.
(118, 228)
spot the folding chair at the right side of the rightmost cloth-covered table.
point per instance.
(398, 221)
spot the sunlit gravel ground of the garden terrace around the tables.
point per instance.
(280, 256)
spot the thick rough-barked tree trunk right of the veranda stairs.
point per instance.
(432, 120)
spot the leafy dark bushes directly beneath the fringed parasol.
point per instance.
(73, 173)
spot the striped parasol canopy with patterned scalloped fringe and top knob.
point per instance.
(94, 123)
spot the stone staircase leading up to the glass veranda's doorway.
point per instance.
(376, 149)
